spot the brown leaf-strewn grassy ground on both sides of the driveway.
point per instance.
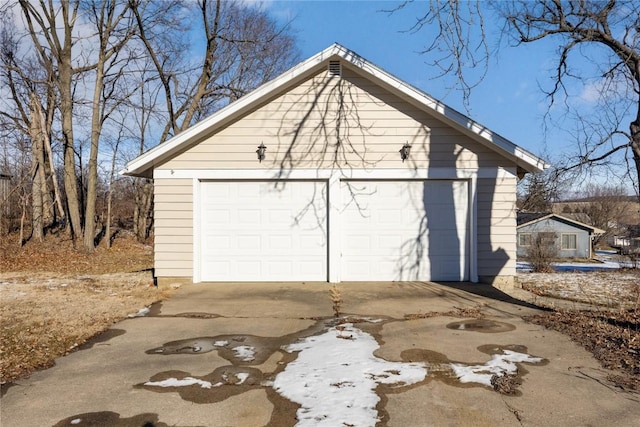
(54, 298)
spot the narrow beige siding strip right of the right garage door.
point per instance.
(496, 220)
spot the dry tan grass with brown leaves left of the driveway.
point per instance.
(53, 298)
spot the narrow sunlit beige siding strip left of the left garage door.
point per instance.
(173, 227)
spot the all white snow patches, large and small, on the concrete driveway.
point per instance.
(335, 376)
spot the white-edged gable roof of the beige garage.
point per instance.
(144, 164)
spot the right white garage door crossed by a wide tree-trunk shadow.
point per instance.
(405, 230)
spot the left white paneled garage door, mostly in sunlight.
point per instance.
(253, 231)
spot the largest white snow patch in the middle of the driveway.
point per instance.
(335, 376)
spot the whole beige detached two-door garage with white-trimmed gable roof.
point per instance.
(335, 171)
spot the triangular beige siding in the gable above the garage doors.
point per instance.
(336, 121)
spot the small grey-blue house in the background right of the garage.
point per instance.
(572, 239)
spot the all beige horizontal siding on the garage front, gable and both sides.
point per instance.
(302, 129)
